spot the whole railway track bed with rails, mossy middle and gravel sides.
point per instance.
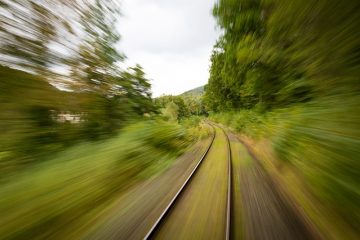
(212, 199)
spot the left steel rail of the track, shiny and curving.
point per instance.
(173, 200)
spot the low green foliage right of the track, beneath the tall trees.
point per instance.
(315, 139)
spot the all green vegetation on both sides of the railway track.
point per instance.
(78, 128)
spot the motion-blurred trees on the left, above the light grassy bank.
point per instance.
(61, 78)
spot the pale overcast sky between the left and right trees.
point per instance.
(171, 39)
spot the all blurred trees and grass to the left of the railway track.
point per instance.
(77, 128)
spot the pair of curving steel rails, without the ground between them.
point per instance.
(159, 223)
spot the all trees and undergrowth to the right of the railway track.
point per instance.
(289, 72)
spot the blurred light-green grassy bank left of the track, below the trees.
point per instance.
(53, 199)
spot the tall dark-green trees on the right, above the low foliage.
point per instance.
(278, 53)
